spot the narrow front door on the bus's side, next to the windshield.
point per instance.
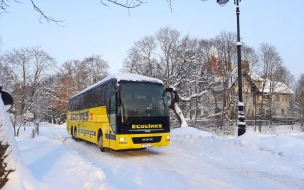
(112, 117)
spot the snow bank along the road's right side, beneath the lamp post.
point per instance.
(280, 153)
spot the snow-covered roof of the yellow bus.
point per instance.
(123, 77)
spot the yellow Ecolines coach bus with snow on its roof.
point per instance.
(123, 111)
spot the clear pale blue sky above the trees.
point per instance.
(91, 28)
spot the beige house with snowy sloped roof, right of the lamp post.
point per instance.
(263, 98)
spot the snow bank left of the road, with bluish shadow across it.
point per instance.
(49, 164)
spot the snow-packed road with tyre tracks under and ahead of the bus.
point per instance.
(176, 168)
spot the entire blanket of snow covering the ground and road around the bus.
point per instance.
(194, 160)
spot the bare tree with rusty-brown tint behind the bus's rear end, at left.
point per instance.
(71, 78)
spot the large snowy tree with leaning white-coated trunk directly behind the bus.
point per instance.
(175, 60)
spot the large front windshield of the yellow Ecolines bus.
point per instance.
(143, 99)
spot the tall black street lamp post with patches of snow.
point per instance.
(241, 115)
